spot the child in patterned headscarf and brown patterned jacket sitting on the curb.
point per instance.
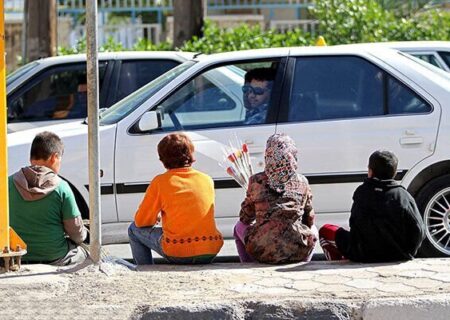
(277, 219)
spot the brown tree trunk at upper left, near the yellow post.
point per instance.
(40, 29)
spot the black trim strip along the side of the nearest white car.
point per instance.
(128, 188)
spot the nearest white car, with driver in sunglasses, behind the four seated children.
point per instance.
(338, 103)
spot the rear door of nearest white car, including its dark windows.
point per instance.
(339, 109)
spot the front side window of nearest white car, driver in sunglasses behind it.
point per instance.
(220, 97)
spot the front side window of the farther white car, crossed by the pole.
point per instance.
(58, 93)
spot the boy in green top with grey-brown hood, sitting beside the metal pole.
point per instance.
(43, 210)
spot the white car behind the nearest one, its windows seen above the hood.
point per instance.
(53, 90)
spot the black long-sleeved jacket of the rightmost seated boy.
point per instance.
(385, 224)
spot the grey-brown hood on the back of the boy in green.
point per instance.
(35, 182)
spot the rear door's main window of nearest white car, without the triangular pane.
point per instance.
(335, 87)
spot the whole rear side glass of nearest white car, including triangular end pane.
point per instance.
(341, 87)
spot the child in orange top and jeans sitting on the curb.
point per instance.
(185, 199)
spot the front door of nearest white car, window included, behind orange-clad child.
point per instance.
(209, 107)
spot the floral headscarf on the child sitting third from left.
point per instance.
(281, 161)
